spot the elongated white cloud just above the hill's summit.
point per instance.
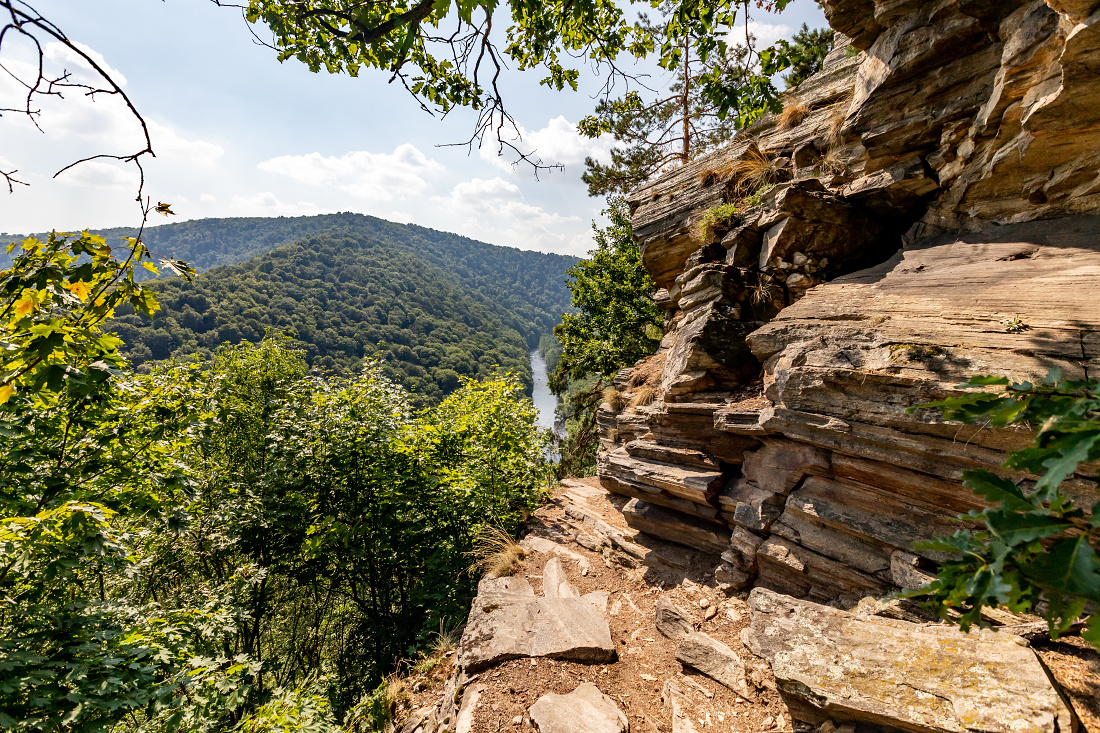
(375, 177)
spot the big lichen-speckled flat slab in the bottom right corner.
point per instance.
(831, 664)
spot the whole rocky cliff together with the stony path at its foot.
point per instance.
(927, 209)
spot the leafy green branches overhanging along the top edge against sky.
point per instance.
(348, 36)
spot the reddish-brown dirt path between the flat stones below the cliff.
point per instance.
(646, 660)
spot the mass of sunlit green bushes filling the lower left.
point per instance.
(193, 549)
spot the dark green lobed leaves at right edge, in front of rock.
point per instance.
(1037, 544)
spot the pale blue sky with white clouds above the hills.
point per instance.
(237, 134)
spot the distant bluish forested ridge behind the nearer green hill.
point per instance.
(531, 286)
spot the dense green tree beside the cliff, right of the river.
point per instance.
(617, 321)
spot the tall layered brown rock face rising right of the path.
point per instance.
(928, 210)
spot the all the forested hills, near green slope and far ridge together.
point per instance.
(433, 308)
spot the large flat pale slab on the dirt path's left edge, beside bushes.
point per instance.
(508, 621)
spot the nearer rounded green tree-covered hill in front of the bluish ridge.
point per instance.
(349, 297)
